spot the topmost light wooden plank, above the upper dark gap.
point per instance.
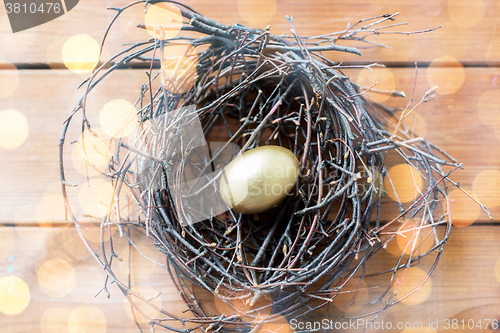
(468, 31)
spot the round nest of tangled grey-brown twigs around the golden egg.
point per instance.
(245, 88)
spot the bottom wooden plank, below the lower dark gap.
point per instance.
(63, 280)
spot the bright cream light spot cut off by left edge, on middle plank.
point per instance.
(14, 129)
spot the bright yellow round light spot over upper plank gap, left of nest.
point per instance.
(80, 53)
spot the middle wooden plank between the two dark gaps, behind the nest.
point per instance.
(31, 192)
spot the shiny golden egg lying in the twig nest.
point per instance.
(259, 179)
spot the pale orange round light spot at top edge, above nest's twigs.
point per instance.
(163, 21)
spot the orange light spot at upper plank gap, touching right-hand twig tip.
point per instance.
(384, 80)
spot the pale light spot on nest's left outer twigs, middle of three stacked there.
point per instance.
(91, 155)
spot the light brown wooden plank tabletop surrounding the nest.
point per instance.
(45, 254)
